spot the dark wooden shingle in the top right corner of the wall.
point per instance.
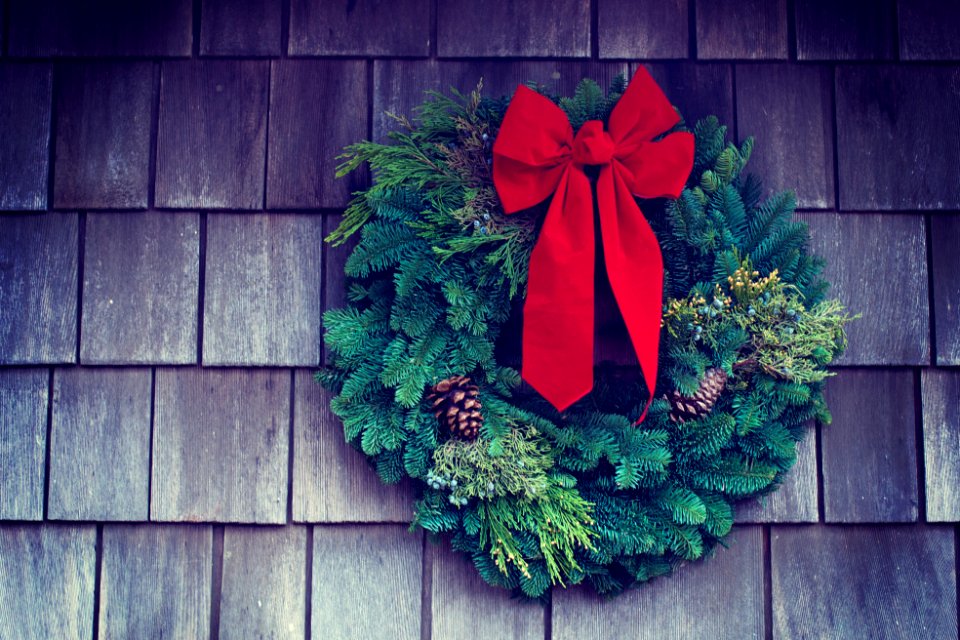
(929, 29)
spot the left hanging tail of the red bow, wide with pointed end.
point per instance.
(558, 312)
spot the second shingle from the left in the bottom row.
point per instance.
(155, 581)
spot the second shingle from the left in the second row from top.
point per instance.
(104, 113)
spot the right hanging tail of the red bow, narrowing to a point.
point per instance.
(635, 269)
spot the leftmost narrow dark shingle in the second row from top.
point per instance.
(25, 106)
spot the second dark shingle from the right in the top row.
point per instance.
(830, 30)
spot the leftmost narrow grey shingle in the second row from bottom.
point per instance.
(23, 442)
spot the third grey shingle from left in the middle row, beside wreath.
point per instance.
(262, 289)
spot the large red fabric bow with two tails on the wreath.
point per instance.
(536, 155)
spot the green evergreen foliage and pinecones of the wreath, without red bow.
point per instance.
(535, 497)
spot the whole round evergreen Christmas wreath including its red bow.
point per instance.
(579, 474)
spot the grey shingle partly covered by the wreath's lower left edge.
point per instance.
(333, 482)
